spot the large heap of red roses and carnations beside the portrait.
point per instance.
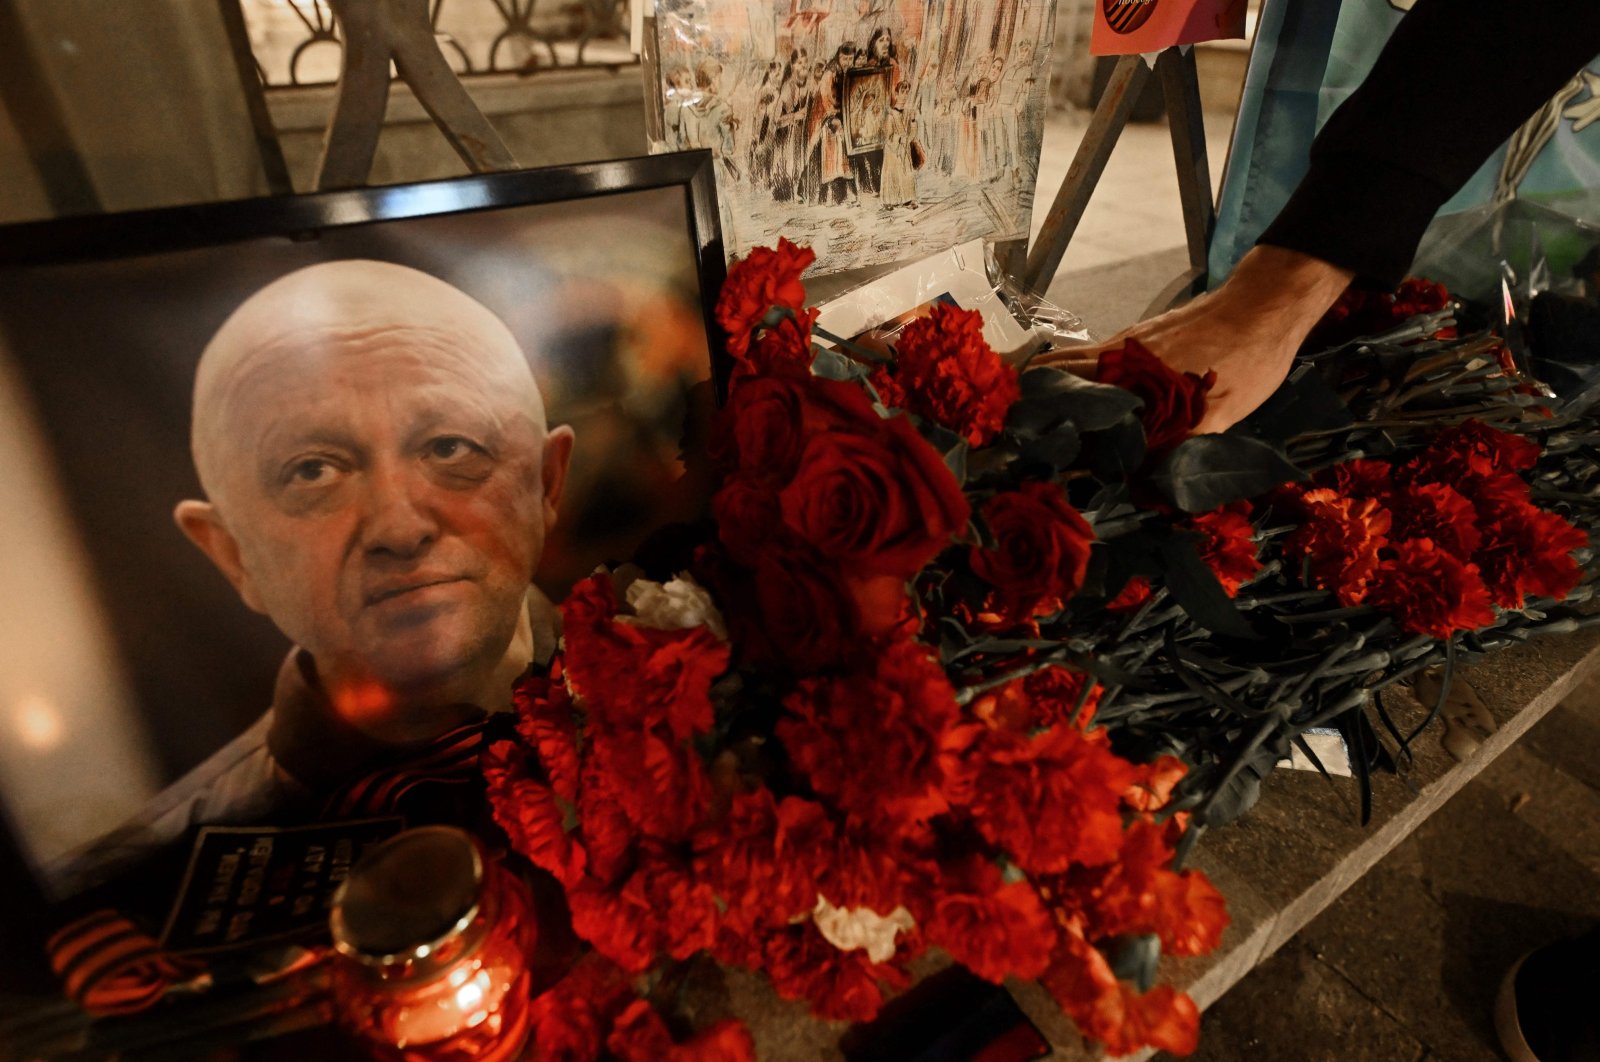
(972, 652)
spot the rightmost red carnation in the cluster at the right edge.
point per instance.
(1527, 553)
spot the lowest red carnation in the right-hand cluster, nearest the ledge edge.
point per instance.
(1431, 593)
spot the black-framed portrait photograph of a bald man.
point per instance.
(326, 447)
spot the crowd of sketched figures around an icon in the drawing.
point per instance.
(863, 124)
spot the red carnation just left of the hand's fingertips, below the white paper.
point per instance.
(946, 372)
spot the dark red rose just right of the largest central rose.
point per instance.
(1041, 551)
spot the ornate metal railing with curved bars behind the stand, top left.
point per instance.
(297, 42)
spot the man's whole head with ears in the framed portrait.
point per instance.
(380, 476)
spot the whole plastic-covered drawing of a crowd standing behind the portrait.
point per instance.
(874, 130)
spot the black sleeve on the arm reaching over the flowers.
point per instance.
(1454, 82)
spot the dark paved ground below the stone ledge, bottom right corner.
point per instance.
(1406, 967)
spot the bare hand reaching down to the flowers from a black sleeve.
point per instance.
(1247, 332)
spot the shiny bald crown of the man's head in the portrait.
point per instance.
(342, 311)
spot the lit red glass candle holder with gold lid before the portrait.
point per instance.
(433, 943)
